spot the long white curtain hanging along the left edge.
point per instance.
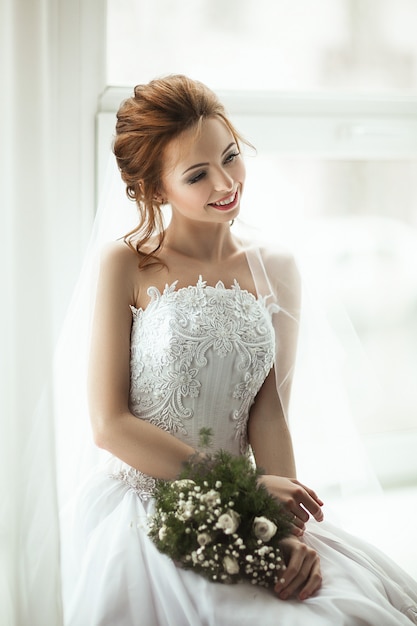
(51, 73)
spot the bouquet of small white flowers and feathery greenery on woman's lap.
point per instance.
(219, 521)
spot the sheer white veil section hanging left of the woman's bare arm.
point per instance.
(76, 452)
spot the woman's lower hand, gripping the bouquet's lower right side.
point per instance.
(302, 575)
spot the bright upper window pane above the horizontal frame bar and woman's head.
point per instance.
(266, 45)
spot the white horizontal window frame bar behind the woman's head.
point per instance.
(331, 125)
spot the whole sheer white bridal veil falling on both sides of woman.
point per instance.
(310, 360)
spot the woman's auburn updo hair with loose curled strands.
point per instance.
(157, 113)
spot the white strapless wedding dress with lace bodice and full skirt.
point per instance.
(198, 357)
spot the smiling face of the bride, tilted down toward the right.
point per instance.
(203, 178)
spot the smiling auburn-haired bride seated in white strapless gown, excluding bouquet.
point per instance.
(183, 339)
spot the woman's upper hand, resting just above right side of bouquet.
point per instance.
(298, 499)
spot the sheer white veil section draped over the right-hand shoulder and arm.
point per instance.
(321, 370)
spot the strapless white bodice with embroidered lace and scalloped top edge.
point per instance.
(199, 355)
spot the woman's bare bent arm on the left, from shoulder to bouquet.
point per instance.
(136, 442)
